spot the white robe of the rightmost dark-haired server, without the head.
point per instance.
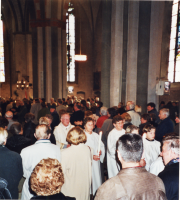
(151, 152)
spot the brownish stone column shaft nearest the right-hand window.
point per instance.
(157, 10)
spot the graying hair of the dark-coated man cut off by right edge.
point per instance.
(172, 142)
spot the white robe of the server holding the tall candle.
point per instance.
(93, 142)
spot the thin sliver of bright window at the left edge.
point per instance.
(2, 70)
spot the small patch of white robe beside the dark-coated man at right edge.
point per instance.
(157, 166)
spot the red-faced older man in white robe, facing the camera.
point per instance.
(61, 131)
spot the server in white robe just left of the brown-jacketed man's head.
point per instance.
(114, 135)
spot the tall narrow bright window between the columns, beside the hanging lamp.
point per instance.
(70, 40)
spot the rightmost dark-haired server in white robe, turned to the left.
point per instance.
(151, 146)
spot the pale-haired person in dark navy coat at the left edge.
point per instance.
(10, 166)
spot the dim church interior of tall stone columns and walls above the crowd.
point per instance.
(127, 44)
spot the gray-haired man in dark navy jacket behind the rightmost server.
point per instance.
(165, 126)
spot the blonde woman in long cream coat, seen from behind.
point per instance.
(76, 164)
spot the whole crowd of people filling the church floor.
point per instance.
(79, 149)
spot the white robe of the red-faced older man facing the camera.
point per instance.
(60, 133)
